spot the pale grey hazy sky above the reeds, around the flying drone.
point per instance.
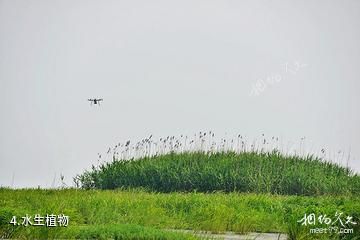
(171, 67)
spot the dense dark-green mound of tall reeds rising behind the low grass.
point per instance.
(226, 171)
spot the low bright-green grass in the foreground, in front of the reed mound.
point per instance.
(136, 214)
